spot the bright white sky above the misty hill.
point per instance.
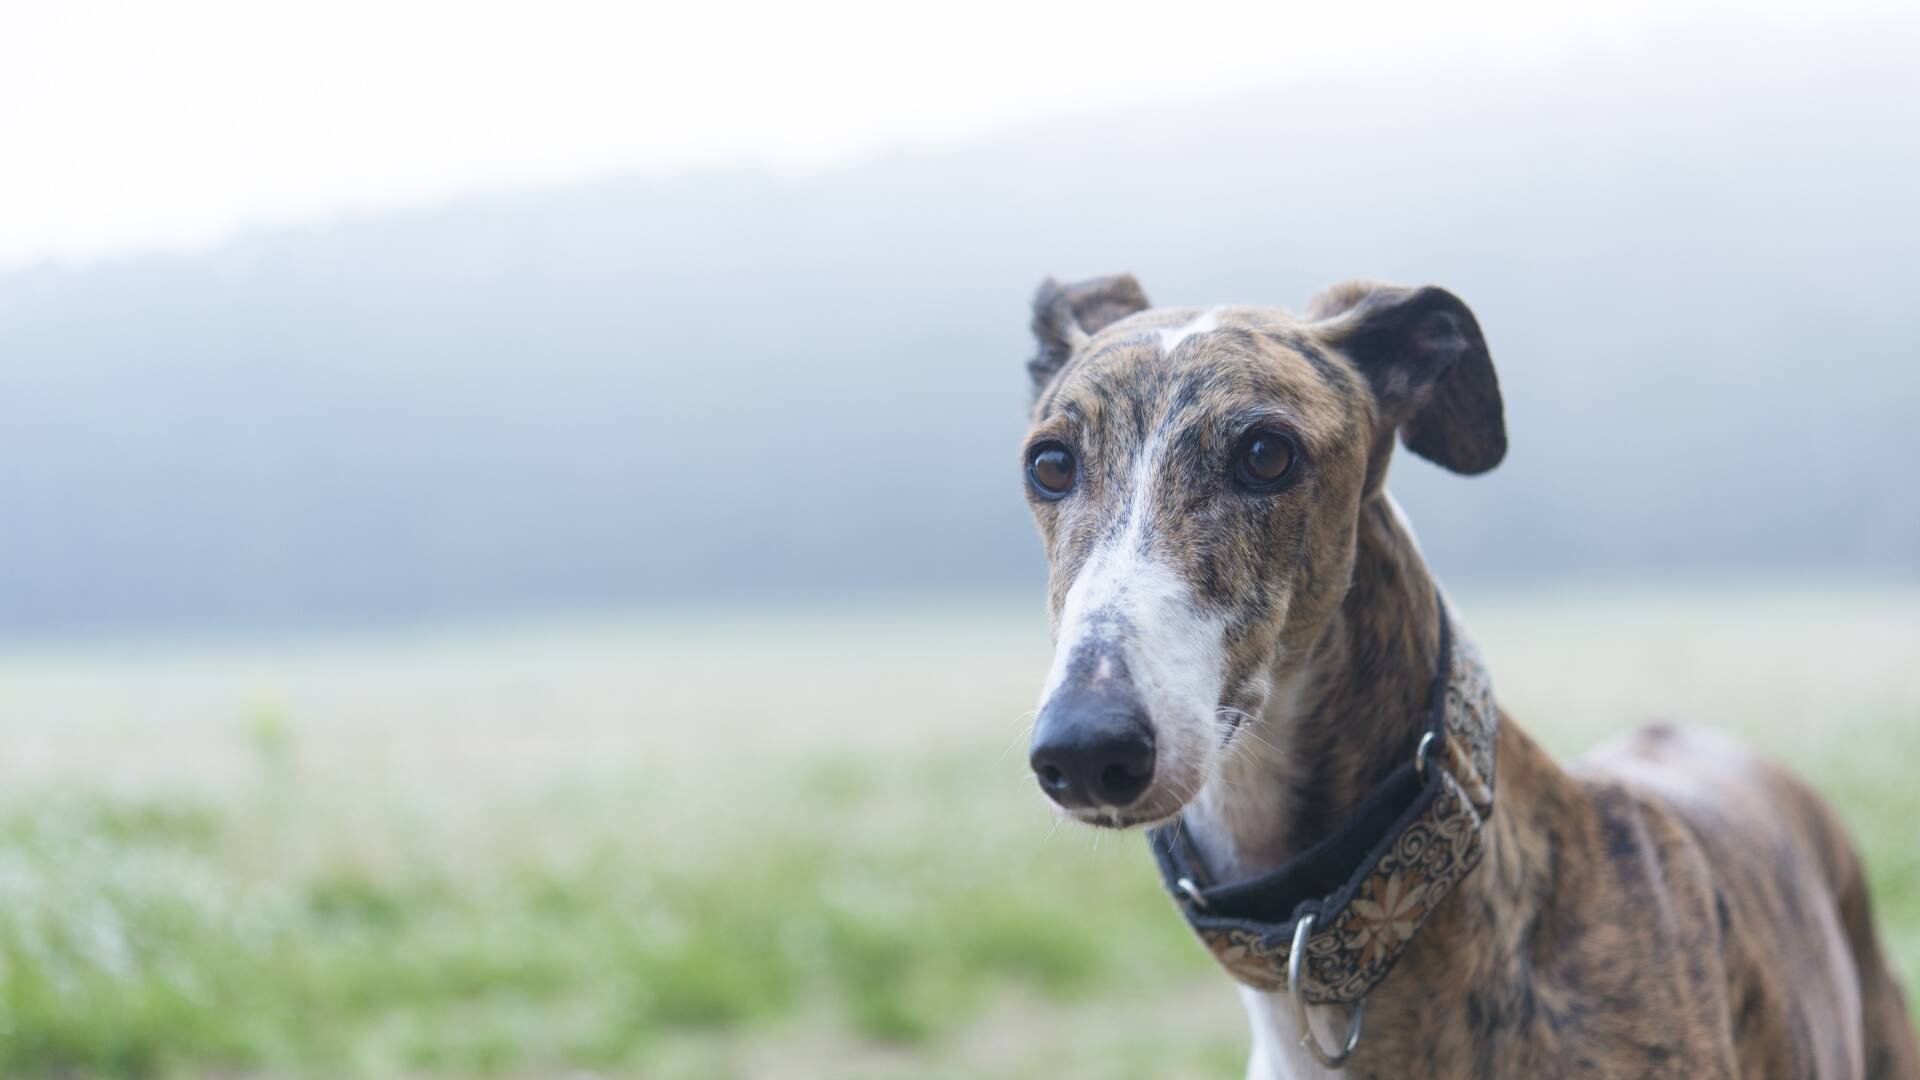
(133, 126)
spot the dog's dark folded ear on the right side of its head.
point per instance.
(1428, 364)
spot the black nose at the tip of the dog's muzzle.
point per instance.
(1092, 749)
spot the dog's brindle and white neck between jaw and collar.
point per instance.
(1339, 720)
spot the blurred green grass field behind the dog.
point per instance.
(759, 845)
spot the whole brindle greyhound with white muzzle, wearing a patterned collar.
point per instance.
(1253, 662)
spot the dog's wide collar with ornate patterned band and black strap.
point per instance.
(1374, 883)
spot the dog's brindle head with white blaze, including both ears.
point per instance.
(1197, 478)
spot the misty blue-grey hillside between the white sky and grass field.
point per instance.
(1694, 266)
